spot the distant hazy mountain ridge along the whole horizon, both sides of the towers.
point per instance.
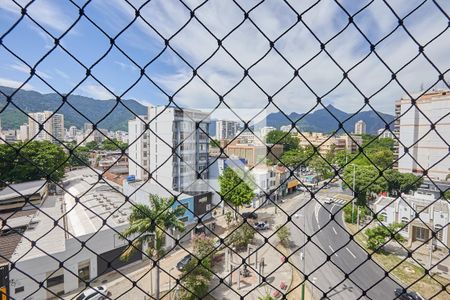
(98, 110)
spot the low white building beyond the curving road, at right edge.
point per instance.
(433, 214)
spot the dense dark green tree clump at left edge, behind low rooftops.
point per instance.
(35, 160)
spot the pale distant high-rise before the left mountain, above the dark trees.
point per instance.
(53, 126)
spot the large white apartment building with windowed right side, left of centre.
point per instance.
(177, 144)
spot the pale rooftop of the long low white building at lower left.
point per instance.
(97, 201)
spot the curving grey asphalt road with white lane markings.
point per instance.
(350, 258)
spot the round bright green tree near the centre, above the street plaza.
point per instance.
(235, 189)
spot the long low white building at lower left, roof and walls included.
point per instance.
(76, 223)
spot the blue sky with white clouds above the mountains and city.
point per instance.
(247, 45)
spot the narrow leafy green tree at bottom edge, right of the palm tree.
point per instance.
(197, 275)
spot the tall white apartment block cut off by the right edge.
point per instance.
(427, 149)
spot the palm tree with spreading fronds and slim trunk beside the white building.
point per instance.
(148, 225)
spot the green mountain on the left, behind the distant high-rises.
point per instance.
(77, 110)
